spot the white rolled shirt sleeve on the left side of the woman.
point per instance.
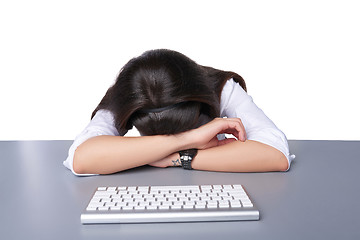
(101, 124)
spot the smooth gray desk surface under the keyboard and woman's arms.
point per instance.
(317, 199)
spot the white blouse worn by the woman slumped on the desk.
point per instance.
(235, 102)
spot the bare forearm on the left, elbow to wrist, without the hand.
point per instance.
(110, 154)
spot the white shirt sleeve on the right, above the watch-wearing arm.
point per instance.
(235, 102)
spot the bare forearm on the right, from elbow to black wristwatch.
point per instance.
(237, 156)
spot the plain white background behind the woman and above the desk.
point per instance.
(300, 59)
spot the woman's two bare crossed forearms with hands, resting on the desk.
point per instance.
(109, 154)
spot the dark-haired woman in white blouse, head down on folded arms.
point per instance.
(178, 107)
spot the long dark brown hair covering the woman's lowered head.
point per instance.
(165, 92)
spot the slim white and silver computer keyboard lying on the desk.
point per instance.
(140, 204)
